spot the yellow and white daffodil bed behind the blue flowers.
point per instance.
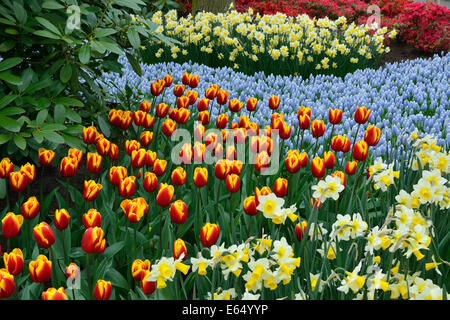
(272, 44)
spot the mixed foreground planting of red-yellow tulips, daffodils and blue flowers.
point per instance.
(332, 222)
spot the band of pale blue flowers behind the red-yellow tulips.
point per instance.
(401, 96)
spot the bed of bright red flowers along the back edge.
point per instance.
(424, 26)
